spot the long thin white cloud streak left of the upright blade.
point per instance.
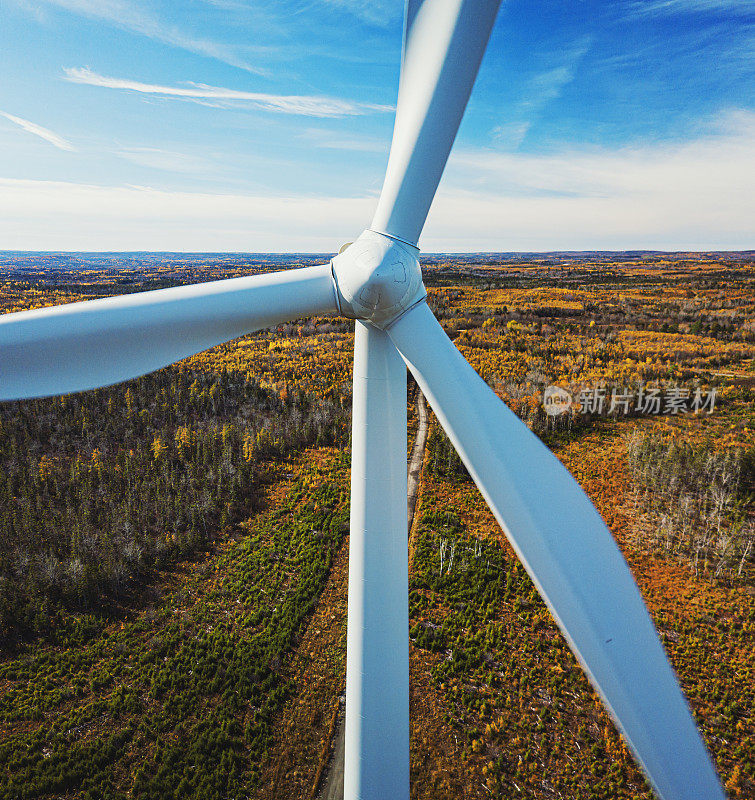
(305, 105)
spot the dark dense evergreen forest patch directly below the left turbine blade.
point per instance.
(97, 489)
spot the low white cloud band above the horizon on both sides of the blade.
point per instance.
(687, 195)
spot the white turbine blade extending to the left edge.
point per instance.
(81, 346)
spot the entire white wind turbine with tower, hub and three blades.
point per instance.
(556, 532)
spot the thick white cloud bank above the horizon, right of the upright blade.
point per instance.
(690, 194)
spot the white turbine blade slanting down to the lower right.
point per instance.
(571, 557)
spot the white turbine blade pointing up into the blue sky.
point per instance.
(443, 45)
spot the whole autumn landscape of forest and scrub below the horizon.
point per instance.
(173, 551)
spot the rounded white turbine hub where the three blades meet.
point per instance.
(377, 278)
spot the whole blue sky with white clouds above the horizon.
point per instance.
(245, 125)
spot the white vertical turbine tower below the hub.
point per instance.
(376, 758)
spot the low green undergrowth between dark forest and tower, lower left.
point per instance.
(180, 702)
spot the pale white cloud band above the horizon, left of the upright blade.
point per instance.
(44, 215)
